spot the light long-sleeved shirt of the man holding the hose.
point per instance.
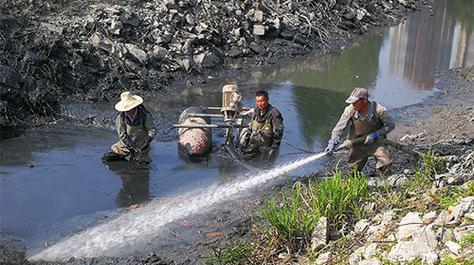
(377, 119)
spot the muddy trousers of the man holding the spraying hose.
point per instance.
(359, 155)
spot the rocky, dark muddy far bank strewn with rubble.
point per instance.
(90, 51)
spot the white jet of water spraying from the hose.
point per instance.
(127, 231)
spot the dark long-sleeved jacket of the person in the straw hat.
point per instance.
(138, 132)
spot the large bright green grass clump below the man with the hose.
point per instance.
(293, 218)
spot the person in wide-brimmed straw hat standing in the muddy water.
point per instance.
(135, 128)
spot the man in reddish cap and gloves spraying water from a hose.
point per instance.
(364, 118)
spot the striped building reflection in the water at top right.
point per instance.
(424, 45)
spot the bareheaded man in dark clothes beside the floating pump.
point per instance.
(260, 142)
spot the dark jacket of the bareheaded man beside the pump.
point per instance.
(266, 127)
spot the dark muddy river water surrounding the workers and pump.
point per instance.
(52, 182)
